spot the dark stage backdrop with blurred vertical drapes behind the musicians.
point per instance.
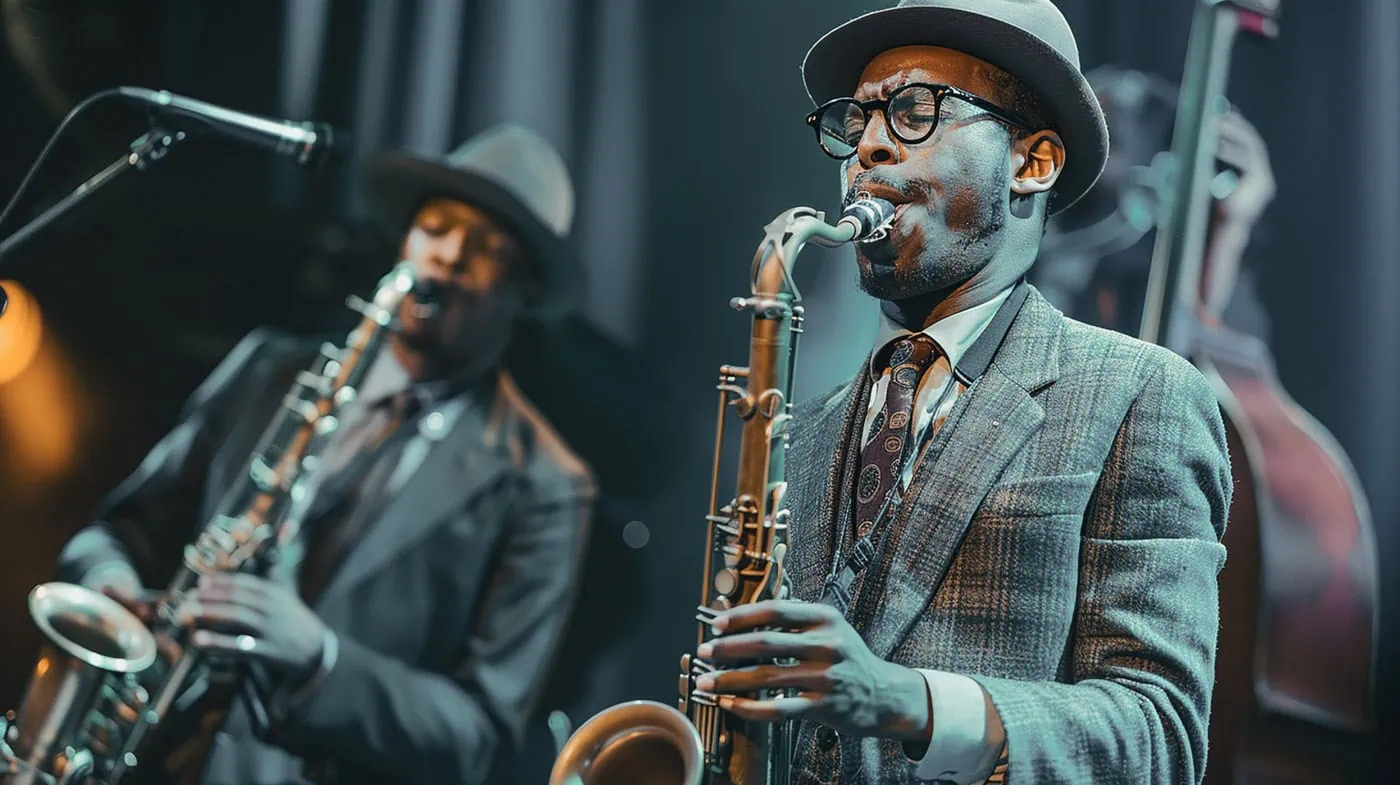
(682, 124)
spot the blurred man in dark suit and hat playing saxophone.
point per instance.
(411, 625)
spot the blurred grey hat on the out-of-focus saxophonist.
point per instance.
(516, 177)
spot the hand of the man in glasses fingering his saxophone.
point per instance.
(842, 684)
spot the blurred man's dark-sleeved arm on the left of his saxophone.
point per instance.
(150, 516)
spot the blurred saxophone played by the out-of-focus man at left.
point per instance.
(100, 691)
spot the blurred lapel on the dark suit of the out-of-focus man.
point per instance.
(440, 471)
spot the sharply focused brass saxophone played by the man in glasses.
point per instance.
(652, 742)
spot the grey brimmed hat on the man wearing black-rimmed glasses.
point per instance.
(1030, 40)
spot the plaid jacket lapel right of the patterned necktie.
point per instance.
(989, 425)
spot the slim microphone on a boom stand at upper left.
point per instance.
(307, 143)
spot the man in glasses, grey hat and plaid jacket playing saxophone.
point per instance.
(1006, 527)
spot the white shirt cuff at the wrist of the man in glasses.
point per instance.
(968, 735)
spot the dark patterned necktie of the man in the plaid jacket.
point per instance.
(883, 458)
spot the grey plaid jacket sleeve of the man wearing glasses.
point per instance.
(1147, 608)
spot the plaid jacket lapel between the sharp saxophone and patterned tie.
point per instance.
(818, 454)
